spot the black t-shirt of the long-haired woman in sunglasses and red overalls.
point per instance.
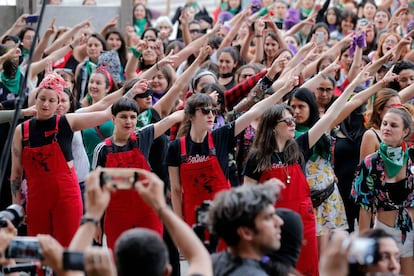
(303, 142)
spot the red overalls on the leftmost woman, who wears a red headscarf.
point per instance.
(54, 203)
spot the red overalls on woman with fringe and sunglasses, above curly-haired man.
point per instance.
(199, 181)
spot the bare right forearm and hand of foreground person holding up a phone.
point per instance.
(151, 189)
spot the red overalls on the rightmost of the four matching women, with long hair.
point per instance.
(296, 197)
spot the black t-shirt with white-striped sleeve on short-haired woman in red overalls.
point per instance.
(145, 136)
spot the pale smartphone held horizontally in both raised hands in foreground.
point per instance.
(118, 178)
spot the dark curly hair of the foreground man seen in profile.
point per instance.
(239, 207)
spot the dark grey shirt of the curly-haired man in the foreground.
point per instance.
(226, 264)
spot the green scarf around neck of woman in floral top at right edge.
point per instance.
(394, 158)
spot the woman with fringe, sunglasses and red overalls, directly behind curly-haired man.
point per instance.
(198, 160)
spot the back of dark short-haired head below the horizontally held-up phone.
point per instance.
(141, 252)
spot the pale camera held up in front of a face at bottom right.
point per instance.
(363, 251)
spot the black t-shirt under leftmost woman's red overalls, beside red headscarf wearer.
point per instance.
(37, 129)
